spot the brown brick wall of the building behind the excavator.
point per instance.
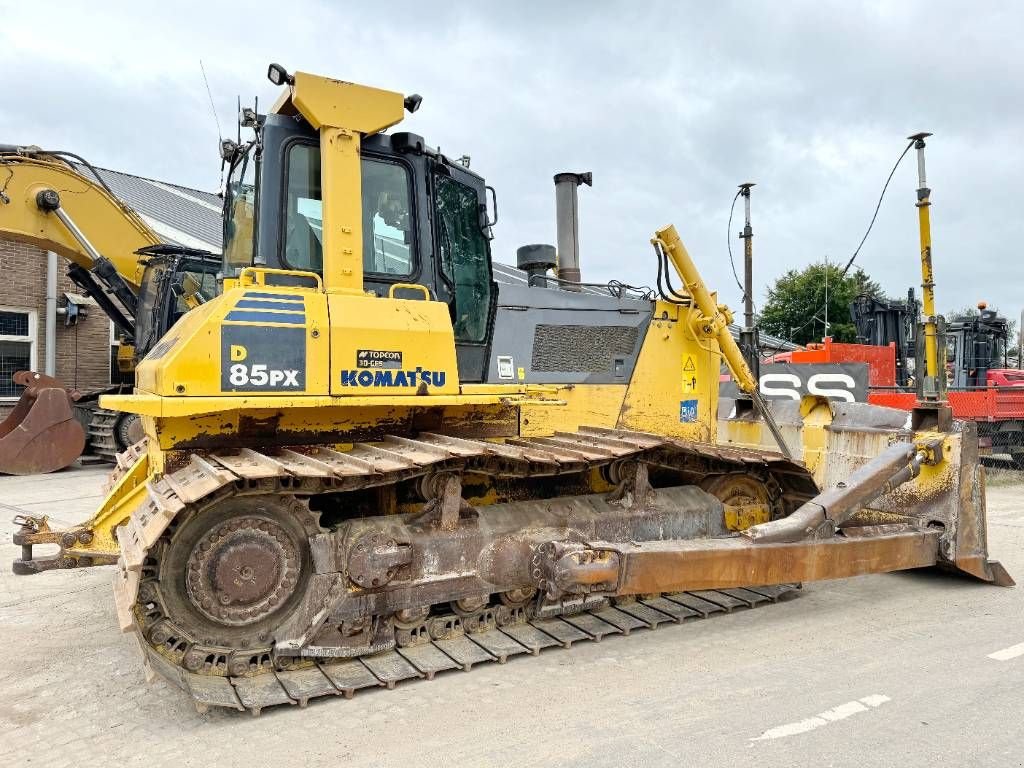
(82, 351)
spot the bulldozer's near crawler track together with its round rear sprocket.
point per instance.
(225, 649)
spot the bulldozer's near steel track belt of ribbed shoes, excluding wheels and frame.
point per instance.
(206, 671)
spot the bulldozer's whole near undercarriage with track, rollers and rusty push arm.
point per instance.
(254, 579)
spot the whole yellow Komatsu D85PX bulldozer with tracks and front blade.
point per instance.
(367, 462)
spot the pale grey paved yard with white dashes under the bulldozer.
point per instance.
(908, 670)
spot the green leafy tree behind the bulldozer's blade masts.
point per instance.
(796, 307)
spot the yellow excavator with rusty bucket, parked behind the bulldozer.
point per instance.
(58, 202)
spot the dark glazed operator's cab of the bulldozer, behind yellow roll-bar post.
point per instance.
(424, 220)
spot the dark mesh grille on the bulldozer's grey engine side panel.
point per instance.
(582, 349)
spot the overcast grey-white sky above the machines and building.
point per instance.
(671, 106)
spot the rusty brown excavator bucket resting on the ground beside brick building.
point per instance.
(41, 435)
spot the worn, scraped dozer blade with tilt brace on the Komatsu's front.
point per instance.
(879, 478)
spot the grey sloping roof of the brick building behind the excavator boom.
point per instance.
(179, 216)
